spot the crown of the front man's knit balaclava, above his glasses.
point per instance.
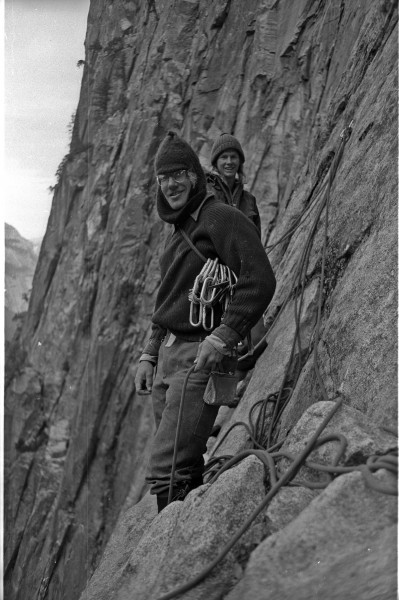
(174, 154)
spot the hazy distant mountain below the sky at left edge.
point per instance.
(20, 263)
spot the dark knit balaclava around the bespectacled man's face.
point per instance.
(174, 154)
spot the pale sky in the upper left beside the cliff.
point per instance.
(44, 40)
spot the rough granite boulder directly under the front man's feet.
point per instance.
(184, 538)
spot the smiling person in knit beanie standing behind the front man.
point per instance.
(226, 178)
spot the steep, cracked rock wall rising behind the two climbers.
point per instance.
(286, 78)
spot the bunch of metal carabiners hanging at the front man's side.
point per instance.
(215, 284)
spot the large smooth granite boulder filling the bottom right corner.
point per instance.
(341, 546)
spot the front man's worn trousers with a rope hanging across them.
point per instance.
(197, 418)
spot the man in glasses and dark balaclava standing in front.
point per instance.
(176, 342)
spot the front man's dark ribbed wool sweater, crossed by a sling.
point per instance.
(217, 230)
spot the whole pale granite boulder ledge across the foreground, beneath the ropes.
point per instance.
(294, 547)
